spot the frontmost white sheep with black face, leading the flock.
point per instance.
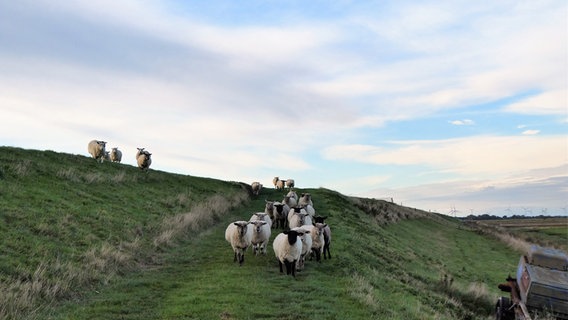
(288, 249)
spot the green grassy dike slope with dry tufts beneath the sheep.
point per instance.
(84, 240)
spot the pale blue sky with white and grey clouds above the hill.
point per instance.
(458, 107)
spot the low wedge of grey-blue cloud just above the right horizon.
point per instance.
(534, 189)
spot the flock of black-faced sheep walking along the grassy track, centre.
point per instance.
(303, 233)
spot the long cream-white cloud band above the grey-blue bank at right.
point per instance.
(470, 156)
